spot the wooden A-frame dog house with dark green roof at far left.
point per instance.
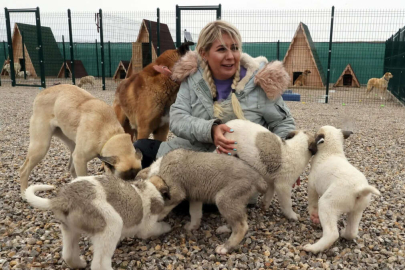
(52, 55)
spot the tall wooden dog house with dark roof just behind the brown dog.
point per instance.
(141, 56)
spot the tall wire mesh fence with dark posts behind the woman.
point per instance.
(360, 38)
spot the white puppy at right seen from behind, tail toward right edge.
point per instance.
(341, 188)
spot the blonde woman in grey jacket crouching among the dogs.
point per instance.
(219, 84)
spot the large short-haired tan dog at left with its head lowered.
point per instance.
(88, 126)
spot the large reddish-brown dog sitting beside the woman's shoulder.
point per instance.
(142, 101)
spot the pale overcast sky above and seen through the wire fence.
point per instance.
(257, 20)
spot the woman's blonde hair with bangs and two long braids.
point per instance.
(208, 35)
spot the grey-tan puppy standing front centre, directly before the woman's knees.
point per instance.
(208, 178)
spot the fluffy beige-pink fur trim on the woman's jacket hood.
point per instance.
(272, 78)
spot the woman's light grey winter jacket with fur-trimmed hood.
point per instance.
(192, 115)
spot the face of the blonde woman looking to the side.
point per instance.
(223, 58)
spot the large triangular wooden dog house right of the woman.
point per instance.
(302, 55)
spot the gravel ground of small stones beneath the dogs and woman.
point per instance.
(31, 239)
